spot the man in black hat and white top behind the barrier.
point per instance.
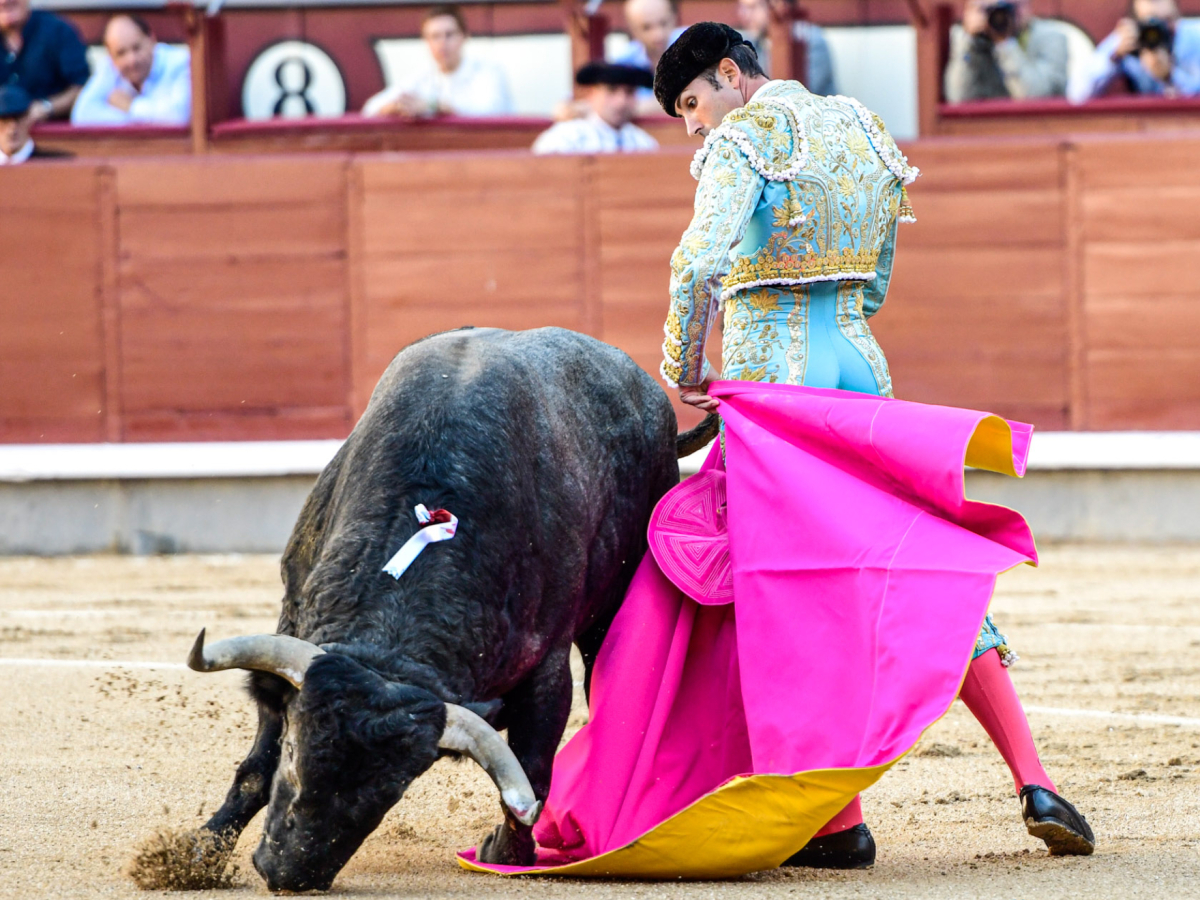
(609, 128)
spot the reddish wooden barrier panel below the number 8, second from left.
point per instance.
(233, 293)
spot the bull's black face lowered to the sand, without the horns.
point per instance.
(353, 745)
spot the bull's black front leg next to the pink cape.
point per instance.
(538, 711)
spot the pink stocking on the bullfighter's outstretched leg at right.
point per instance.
(991, 697)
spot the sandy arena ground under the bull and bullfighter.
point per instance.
(94, 758)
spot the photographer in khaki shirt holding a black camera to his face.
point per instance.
(1004, 52)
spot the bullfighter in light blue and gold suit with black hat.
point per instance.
(794, 239)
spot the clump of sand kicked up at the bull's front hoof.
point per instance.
(184, 861)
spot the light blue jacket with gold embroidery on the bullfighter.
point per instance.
(795, 190)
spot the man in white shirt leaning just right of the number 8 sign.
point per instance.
(451, 85)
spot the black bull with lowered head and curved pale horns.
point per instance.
(553, 451)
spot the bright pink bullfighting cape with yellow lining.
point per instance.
(807, 610)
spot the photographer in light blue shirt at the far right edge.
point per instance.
(1153, 51)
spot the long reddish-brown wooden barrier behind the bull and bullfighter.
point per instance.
(261, 297)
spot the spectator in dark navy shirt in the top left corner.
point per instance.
(44, 55)
